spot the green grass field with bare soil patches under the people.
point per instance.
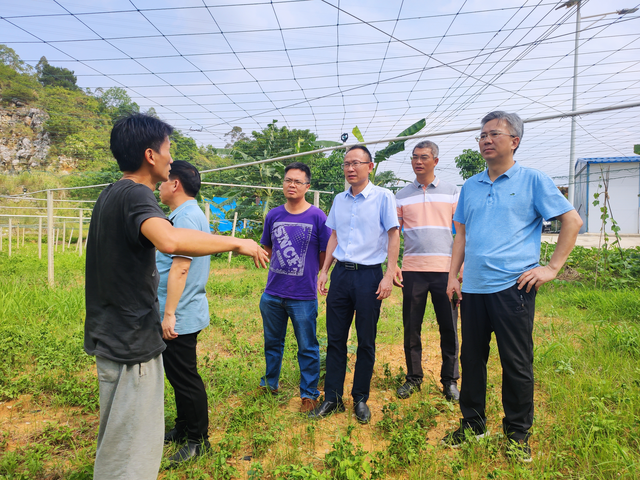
(587, 365)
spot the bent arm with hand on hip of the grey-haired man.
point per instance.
(538, 276)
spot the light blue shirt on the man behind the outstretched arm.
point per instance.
(192, 314)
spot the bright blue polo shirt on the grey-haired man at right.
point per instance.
(503, 225)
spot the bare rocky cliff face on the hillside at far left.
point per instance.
(24, 144)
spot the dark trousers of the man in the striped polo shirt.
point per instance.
(417, 285)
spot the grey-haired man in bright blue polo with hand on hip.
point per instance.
(499, 223)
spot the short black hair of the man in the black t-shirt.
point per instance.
(132, 135)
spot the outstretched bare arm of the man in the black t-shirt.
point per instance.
(194, 243)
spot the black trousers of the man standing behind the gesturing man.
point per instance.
(181, 368)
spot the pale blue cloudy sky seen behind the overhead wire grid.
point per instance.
(329, 65)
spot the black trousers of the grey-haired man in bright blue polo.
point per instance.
(509, 314)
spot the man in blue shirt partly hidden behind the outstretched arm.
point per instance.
(184, 310)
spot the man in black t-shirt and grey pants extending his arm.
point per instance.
(123, 326)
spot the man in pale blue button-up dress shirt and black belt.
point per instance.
(364, 224)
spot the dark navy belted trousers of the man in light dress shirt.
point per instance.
(349, 291)
